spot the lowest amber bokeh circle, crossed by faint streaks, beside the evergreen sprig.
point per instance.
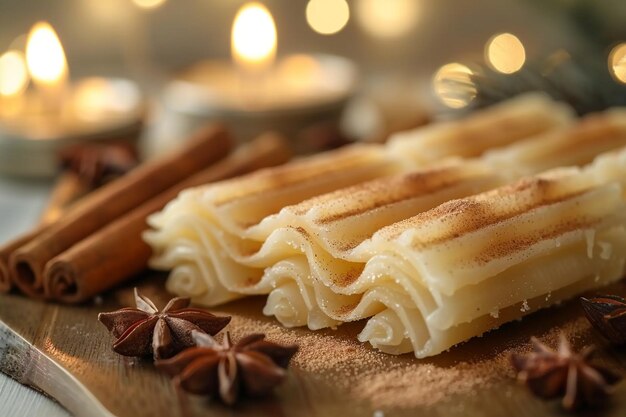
(453, 85)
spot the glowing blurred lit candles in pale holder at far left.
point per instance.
(37, 123)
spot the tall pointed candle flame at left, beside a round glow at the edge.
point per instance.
(44, 55)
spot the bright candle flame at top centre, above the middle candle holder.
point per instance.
(253, 39)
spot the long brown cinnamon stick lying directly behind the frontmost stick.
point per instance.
(112, 201)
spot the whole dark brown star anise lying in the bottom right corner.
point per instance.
(563, 373)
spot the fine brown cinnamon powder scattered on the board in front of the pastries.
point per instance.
(342, 366)
